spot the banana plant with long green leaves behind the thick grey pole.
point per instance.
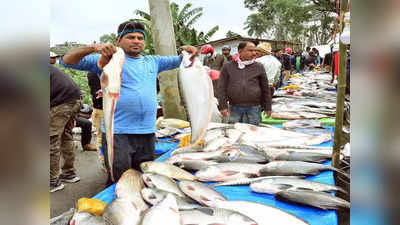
(183, 21)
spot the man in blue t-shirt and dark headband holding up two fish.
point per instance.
(135, 112)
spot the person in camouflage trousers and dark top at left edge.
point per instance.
(65, 104)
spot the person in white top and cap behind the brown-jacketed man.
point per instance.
(271, 65)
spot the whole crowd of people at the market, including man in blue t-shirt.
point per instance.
(243, 84)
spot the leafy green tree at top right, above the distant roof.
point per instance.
(293, 20)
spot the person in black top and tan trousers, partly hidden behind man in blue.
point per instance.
(97, 115)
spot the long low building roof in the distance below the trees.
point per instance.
(233, 42)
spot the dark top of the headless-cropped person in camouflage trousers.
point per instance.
(62, 88)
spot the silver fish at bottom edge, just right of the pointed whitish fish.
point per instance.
(207, 216)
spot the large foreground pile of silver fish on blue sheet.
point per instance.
(182, 189)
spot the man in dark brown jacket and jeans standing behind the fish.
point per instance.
(244, 85)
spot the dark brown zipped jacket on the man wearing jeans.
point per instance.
(244, 87)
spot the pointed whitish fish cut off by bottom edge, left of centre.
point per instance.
(165, 212)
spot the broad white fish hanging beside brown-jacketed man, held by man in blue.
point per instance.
(198, 94)
